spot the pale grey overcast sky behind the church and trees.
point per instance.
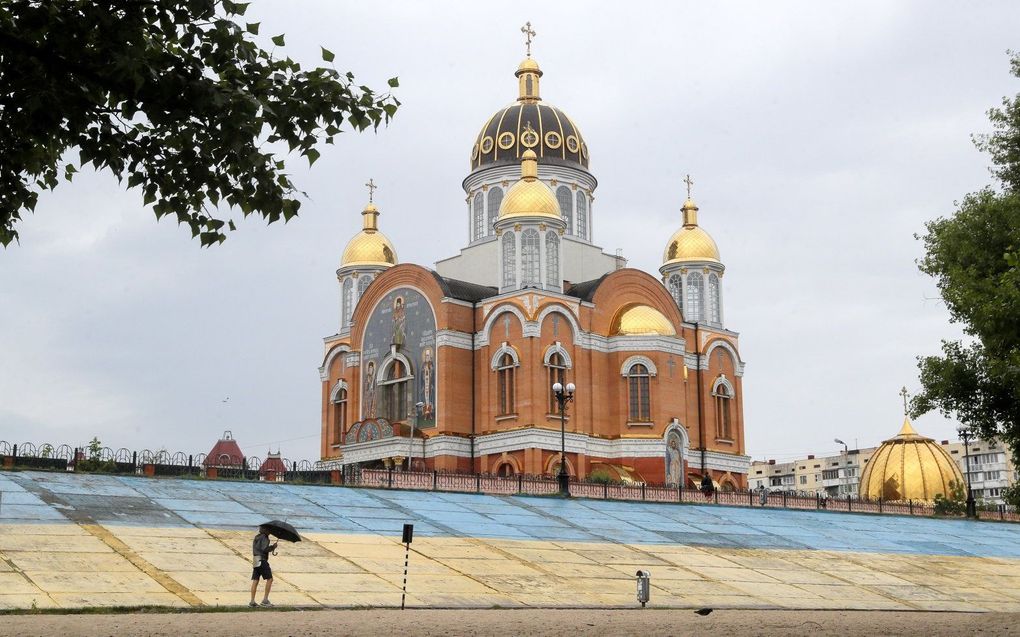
(821, 136)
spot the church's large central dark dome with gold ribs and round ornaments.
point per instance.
(529, 124)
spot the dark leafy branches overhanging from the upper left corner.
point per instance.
(173, 96)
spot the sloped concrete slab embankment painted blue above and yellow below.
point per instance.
(73, 541)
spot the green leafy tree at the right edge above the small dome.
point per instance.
(975, 257)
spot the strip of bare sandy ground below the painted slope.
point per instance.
(560, 623)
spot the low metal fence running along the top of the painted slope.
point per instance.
(163, 463)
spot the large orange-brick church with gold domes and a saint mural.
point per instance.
(452, 368)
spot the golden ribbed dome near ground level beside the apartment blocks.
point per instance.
(909, 467)
